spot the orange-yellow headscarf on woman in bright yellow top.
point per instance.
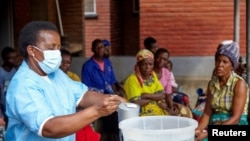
(141, 55)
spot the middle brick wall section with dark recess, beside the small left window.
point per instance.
(116, 22)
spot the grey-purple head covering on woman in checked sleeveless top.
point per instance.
(229, 49)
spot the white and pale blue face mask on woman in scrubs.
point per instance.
(52, 60)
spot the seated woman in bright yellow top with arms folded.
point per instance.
(143, 87)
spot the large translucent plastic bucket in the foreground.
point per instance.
(158, 128)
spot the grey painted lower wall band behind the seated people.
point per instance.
(184, 67)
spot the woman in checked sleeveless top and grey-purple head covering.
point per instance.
(227, 92)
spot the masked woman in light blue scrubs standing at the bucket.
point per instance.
(41, 99)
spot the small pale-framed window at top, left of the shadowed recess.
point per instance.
(90, 8)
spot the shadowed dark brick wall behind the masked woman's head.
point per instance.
(71, 13)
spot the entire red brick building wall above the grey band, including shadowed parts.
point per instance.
(186, 28)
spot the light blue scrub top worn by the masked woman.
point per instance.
(31, 100)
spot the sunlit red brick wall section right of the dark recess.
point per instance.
(190, 28)
